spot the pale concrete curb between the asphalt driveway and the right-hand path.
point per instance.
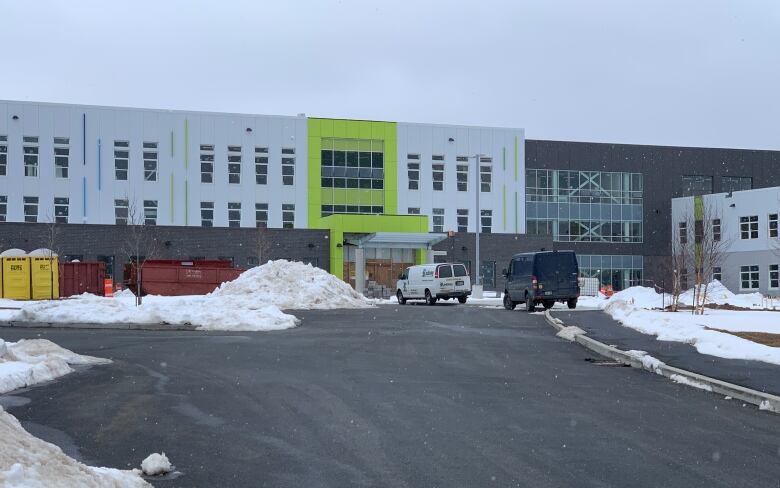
(765, 401)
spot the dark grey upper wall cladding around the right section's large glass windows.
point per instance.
(662, 168)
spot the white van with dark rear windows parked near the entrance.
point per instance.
(431, 282)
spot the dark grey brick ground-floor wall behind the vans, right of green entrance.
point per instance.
(497, 248)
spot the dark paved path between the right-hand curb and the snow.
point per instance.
(757, 375)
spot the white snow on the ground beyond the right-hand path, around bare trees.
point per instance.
(640, 308)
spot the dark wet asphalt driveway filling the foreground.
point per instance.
(393, 396)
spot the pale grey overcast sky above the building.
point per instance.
(676, 72)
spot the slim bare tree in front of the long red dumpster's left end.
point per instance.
(140, 243)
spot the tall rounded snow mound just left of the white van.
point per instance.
(291, 285)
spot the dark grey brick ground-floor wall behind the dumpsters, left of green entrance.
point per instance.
(90, 241)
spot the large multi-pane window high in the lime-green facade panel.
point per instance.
(353, 163)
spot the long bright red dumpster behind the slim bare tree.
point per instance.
(172, 277)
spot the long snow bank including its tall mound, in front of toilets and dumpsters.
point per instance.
(252, 302)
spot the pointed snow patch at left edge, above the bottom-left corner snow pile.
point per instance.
(32, 361)
